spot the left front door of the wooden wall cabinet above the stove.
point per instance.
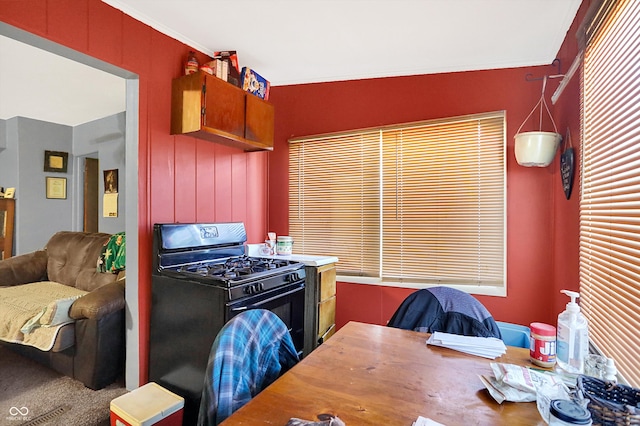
(224, 106)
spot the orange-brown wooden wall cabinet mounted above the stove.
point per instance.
(209, 108)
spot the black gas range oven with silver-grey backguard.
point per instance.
(201, 279)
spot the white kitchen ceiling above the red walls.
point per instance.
(306, 41)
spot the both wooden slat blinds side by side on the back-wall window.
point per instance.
(420, 203)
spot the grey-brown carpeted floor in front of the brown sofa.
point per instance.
(33, 395)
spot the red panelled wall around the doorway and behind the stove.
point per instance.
(181, 179)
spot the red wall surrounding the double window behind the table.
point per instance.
(542, 227)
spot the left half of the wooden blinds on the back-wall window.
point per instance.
(334, 199)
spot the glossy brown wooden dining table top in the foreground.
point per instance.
(375, 375)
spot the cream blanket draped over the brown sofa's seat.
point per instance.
(32, 314)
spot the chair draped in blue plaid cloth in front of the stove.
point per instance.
(249, 353)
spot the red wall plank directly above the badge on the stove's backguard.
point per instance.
(205, 181)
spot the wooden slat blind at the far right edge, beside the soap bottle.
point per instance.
(610, 174)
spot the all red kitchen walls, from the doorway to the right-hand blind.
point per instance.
(185, 179)
